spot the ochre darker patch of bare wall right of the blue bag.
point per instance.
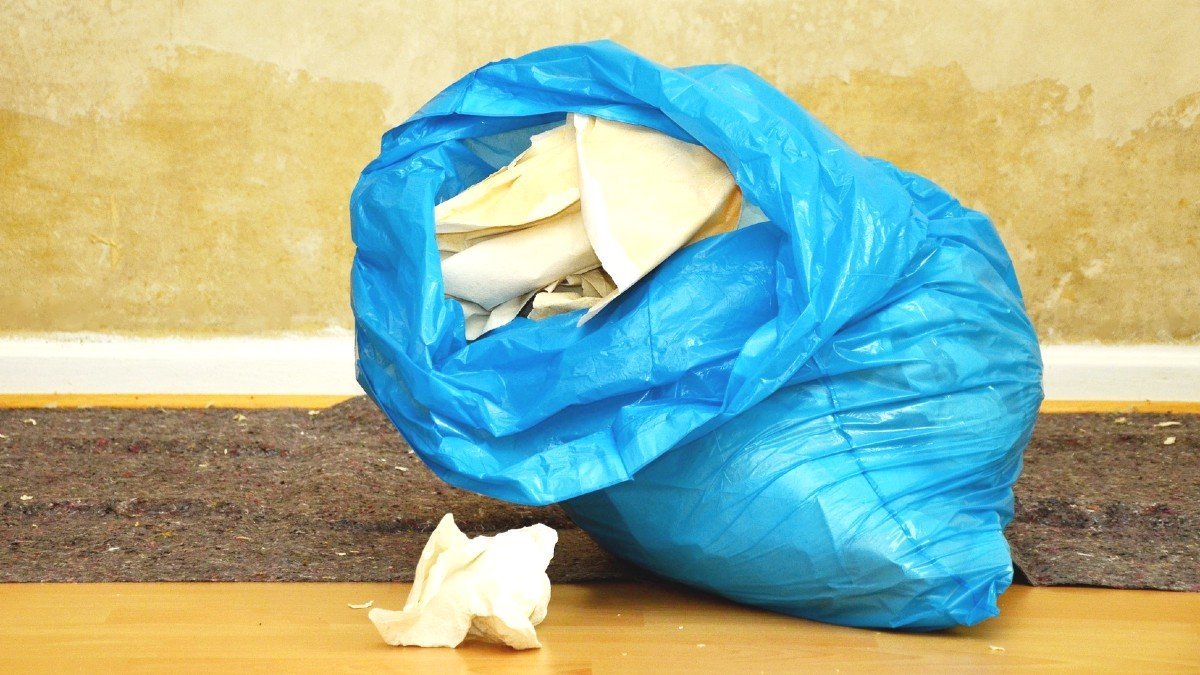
(1106, 235)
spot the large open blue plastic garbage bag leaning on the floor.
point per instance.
(821, 414)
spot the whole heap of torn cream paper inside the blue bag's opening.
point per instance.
(591, 208)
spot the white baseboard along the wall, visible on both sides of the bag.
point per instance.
(325, 366)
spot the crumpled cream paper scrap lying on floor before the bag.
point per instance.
(491, 588)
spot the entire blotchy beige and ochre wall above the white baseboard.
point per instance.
(184, 168)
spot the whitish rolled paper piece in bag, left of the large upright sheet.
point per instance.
(501, 268)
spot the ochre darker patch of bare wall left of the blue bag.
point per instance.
(217, 204)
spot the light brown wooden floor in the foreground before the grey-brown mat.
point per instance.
(598, 628)
